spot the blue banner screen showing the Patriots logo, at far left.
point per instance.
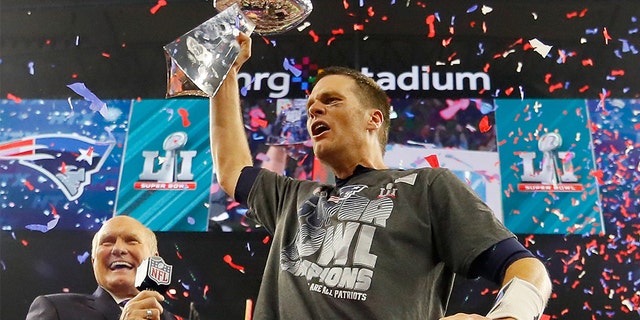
(60, 162)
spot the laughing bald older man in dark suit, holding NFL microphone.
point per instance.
(118, 248)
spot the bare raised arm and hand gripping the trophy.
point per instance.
(229, 146)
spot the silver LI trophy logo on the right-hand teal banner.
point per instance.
(556, 169)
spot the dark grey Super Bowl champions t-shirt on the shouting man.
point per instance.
(383, 245)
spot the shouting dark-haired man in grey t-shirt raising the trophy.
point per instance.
(380, 243)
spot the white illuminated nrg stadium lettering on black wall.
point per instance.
(418, 79)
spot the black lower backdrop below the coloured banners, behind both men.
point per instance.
(593, 277)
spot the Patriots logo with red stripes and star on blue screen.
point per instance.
(68, 160)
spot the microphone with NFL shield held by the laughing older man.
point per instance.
(153, 274)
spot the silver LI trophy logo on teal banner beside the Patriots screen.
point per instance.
(175, 167)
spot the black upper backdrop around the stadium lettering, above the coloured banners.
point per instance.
(115, 46)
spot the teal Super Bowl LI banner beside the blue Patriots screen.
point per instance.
(166, 173)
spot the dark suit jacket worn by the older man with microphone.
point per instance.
(75, 306)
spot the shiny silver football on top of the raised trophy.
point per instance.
(271, 16)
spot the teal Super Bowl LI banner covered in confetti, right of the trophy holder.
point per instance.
(546, 165)
